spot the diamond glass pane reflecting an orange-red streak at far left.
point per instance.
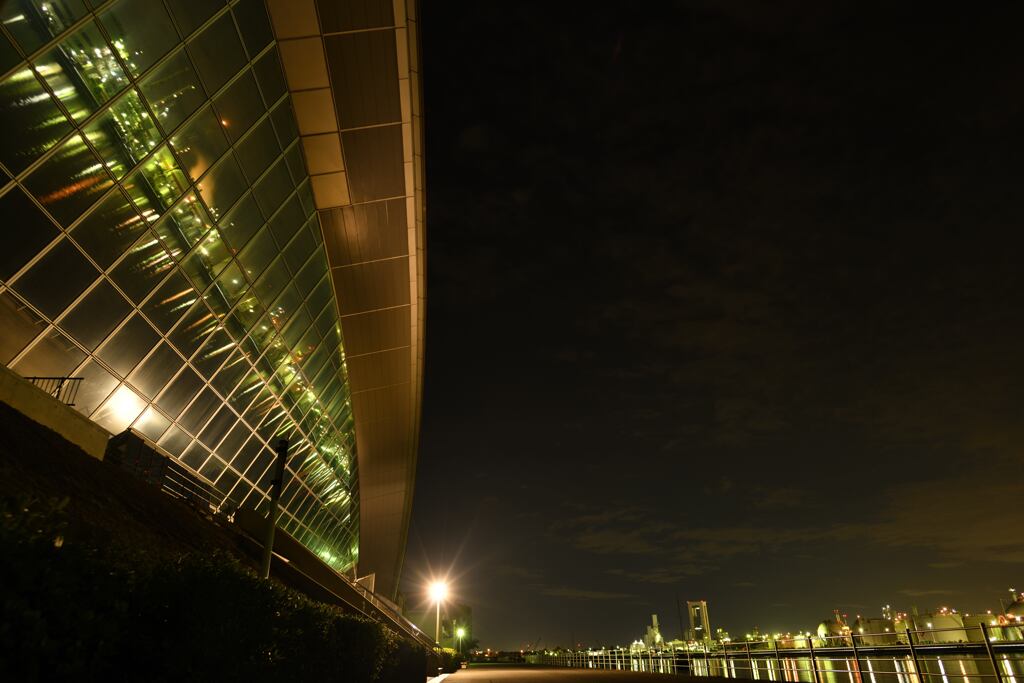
(69, 182)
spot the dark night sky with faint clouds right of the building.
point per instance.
(726, 302)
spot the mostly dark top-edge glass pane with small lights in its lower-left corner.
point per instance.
(142, 31)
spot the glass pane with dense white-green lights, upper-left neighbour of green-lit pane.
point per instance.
(83, 59)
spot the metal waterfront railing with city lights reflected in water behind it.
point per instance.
(965, 655)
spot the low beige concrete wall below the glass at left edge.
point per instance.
(48, 411)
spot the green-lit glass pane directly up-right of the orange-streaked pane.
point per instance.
(124, 135)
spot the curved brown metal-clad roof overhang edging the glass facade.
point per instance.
(352, 68)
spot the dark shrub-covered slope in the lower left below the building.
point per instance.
(104, 578)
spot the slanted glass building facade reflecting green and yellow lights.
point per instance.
(162, 243)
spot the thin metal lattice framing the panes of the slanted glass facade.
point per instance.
(290, 410)
